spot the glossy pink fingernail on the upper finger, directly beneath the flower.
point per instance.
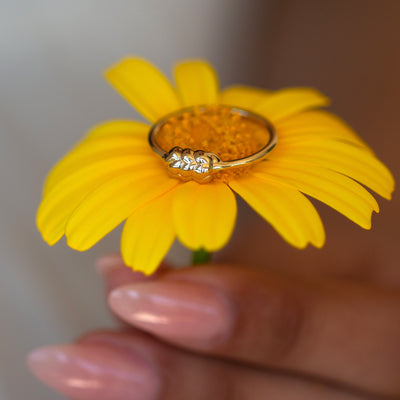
(178, 311)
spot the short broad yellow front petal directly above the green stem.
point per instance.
(204, 215)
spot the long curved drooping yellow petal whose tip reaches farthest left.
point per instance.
(66, 194)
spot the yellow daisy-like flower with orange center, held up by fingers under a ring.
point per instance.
(113, 175)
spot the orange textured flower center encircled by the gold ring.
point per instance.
(217, 129)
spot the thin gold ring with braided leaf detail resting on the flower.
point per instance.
(199, 164)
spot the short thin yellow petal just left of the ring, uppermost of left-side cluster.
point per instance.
(118, 128)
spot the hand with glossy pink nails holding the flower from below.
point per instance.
(226, 332)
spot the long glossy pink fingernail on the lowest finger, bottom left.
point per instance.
(94, 372)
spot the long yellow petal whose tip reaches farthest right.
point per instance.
(355, 162)
